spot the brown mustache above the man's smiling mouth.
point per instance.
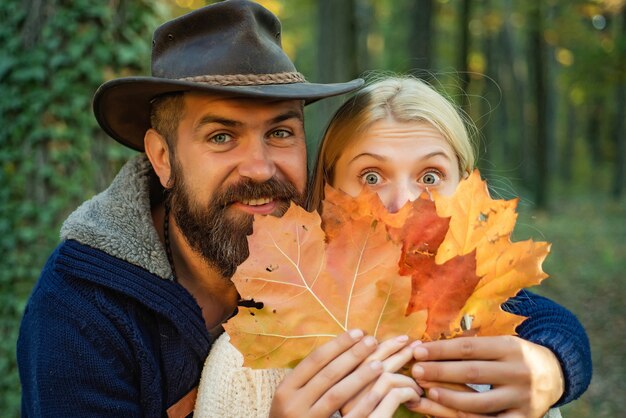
(247, 189)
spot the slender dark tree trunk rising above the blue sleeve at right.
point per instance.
(540, 75)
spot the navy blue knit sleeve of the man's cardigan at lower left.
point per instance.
(67, 367)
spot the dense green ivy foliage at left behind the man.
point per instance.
(53, 56)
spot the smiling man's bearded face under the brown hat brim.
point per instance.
(234, 158)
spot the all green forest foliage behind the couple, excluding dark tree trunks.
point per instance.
(55, 53)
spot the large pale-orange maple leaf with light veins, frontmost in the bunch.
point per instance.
(313, 290)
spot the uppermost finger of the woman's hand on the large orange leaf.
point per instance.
(320, 357)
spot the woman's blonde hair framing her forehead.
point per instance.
(403, 98)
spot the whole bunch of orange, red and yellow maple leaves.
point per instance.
(441, 267)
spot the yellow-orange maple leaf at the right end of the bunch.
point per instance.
(482, 225)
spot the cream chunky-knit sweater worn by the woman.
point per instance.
(227, 389)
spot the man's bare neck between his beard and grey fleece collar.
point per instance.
(215, 294)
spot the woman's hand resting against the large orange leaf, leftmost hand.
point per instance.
(327, 378)
